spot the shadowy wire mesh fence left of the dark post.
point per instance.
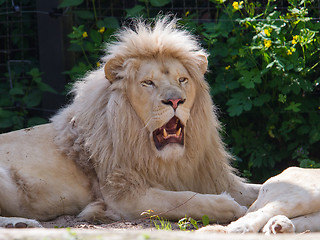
(18, 38)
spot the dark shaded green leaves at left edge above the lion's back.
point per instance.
(20, 99)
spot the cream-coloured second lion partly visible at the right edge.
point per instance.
(287, 203)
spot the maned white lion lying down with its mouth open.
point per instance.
(140, 133)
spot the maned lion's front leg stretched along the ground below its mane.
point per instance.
(174, 205)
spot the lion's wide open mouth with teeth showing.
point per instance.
(171, 132)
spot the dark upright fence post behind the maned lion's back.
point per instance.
(52, 53)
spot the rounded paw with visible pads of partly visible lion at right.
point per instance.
(278, 224)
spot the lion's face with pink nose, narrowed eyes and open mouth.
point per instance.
(162, 94)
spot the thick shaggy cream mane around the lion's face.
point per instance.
(101, 131)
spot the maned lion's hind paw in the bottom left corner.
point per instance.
(13, 222)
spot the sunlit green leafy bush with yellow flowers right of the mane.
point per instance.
(264, 76)
